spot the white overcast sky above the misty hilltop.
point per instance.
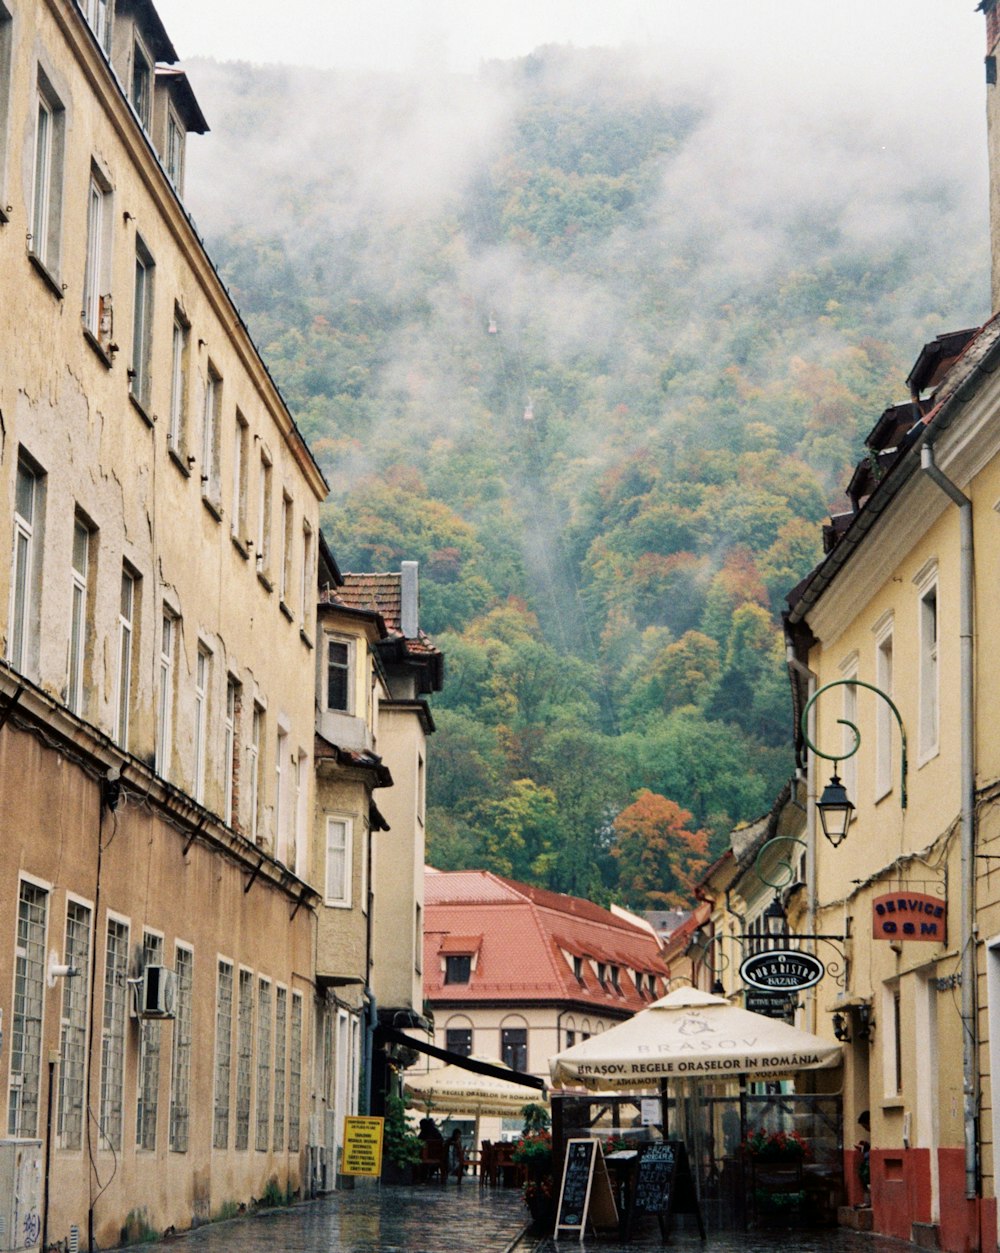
(917, 46)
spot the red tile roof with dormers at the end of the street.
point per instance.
(529, 942)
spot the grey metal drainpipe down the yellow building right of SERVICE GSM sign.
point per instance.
(967, 571)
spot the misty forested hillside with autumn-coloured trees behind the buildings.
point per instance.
(597, 353)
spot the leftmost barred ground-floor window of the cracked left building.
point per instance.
(26, 1026)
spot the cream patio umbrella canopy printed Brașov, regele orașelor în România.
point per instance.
(690, 1034)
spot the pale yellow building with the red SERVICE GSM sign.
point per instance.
(892, 635)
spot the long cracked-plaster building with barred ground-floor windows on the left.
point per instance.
(157, 687)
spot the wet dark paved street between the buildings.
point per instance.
(432, 1220)
